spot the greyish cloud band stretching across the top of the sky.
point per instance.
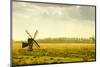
(53, 11)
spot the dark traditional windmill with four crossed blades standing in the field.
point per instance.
(30, 42)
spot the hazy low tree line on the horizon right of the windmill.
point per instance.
(67, 40)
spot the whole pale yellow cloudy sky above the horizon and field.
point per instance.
(52, 20)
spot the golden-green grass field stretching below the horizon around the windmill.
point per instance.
(49, 53)
